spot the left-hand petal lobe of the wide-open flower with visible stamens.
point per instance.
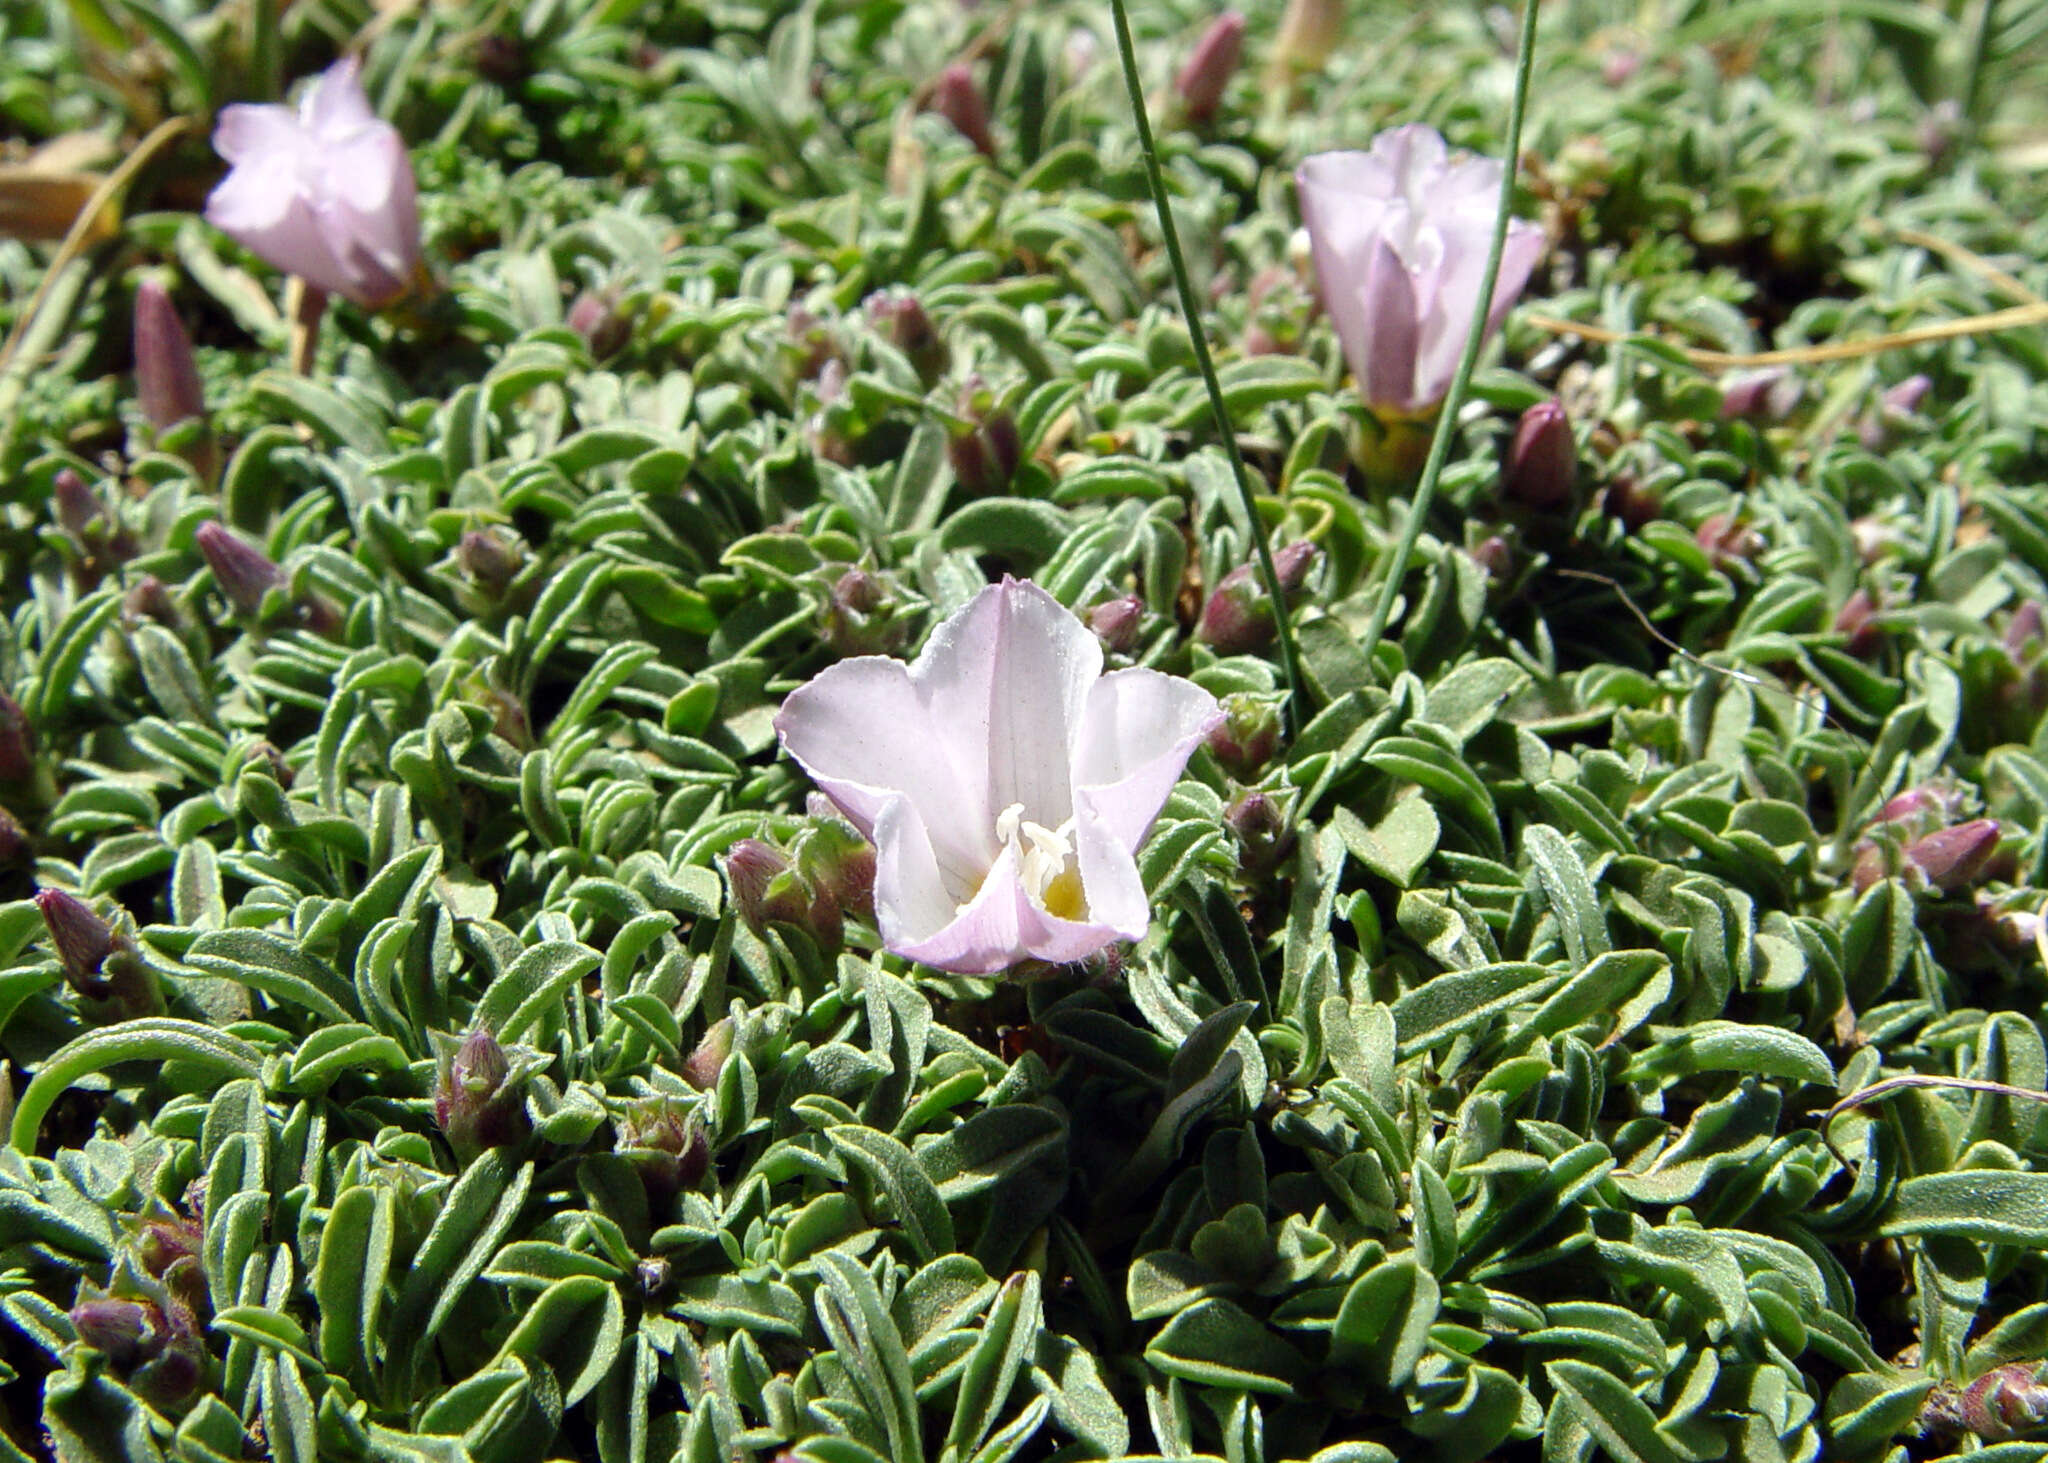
(865, 735)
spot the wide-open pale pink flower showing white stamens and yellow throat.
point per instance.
(1005, 780)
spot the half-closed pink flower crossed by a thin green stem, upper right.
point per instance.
(1400, 239)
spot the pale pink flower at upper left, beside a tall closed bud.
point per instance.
(325, 192)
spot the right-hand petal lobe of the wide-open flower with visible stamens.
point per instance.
(1138, 735)
